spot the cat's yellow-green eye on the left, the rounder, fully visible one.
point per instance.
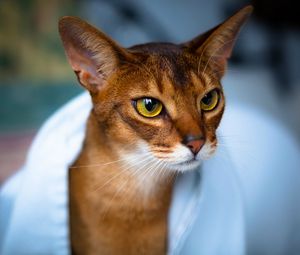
(148, 107)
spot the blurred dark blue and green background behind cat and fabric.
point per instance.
(35, 78)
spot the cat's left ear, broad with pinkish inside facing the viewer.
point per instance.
(92, 55)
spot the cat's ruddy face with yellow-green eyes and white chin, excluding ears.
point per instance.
(181, 133)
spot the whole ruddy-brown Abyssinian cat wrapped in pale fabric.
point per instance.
(156, 108)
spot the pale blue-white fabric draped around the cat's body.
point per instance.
(244, 199)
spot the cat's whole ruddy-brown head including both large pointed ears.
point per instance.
(160, 101)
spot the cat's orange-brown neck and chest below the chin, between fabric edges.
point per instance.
(107, 201)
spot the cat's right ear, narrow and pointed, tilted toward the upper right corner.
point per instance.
(215, 46)
